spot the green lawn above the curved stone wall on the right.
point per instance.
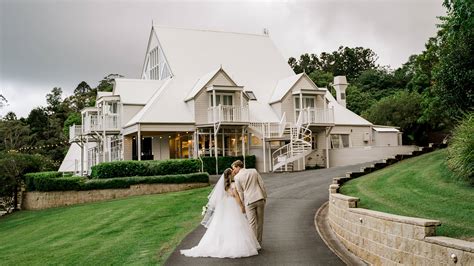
(420, 187)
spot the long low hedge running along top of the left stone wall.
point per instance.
(80, 183)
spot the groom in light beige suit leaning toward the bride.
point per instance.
(252, 192)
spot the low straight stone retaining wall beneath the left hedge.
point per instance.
(43, 200)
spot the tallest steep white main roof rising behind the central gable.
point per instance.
(250, 60)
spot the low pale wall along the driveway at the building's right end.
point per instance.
(355, 155)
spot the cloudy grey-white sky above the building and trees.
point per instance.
(46, 44)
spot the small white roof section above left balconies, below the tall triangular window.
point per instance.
(136, 91)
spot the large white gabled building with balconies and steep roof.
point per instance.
(211, 93)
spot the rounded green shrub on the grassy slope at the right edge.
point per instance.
(461, 149)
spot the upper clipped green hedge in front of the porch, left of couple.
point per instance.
(145, 168)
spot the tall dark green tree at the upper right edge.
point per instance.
(454, 75)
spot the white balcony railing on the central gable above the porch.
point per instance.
(221, 113)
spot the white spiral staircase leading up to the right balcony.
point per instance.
(299, 147)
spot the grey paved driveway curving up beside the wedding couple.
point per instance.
(289, 235)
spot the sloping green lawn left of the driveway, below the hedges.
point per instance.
(137, 230)
